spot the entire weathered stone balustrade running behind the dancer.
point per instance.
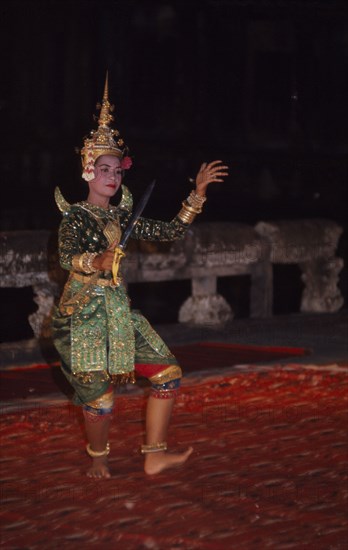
(209, 251)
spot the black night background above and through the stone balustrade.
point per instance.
(261, 84)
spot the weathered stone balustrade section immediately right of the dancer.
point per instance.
(208, 251)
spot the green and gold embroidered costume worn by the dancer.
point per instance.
(95, 332)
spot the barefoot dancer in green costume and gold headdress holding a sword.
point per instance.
(101, 341)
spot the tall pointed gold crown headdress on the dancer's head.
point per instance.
(104, 140)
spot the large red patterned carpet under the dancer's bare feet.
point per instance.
(269, 470)
